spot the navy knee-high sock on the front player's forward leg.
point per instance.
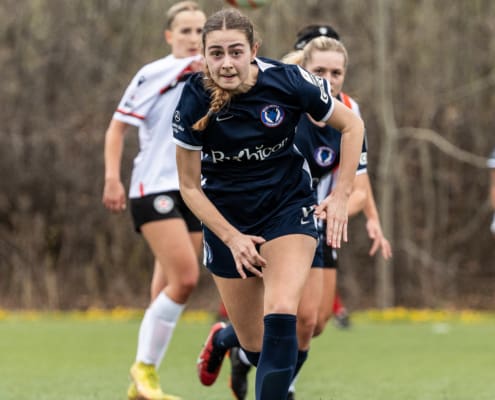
(278, 357)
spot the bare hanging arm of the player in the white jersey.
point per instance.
(114, 192)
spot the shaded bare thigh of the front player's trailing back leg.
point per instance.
(243, 299)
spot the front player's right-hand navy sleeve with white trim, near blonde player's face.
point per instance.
(313, 92)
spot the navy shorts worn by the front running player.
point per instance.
(292, 220)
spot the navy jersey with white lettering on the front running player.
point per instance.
(250, 166)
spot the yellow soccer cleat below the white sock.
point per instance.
(145, 384)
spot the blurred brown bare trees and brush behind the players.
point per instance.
(422, 71)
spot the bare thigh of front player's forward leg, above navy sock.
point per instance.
(289, 260)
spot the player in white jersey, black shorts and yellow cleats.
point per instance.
(159, 213)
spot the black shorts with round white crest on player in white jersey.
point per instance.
(160, 206)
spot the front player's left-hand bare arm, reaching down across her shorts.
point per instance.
(242, 246)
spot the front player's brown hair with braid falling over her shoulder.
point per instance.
(228, 18)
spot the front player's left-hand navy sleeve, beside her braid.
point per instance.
(192, 106)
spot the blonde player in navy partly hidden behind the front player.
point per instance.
(320, 144)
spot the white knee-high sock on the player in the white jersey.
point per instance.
(156, 329)
